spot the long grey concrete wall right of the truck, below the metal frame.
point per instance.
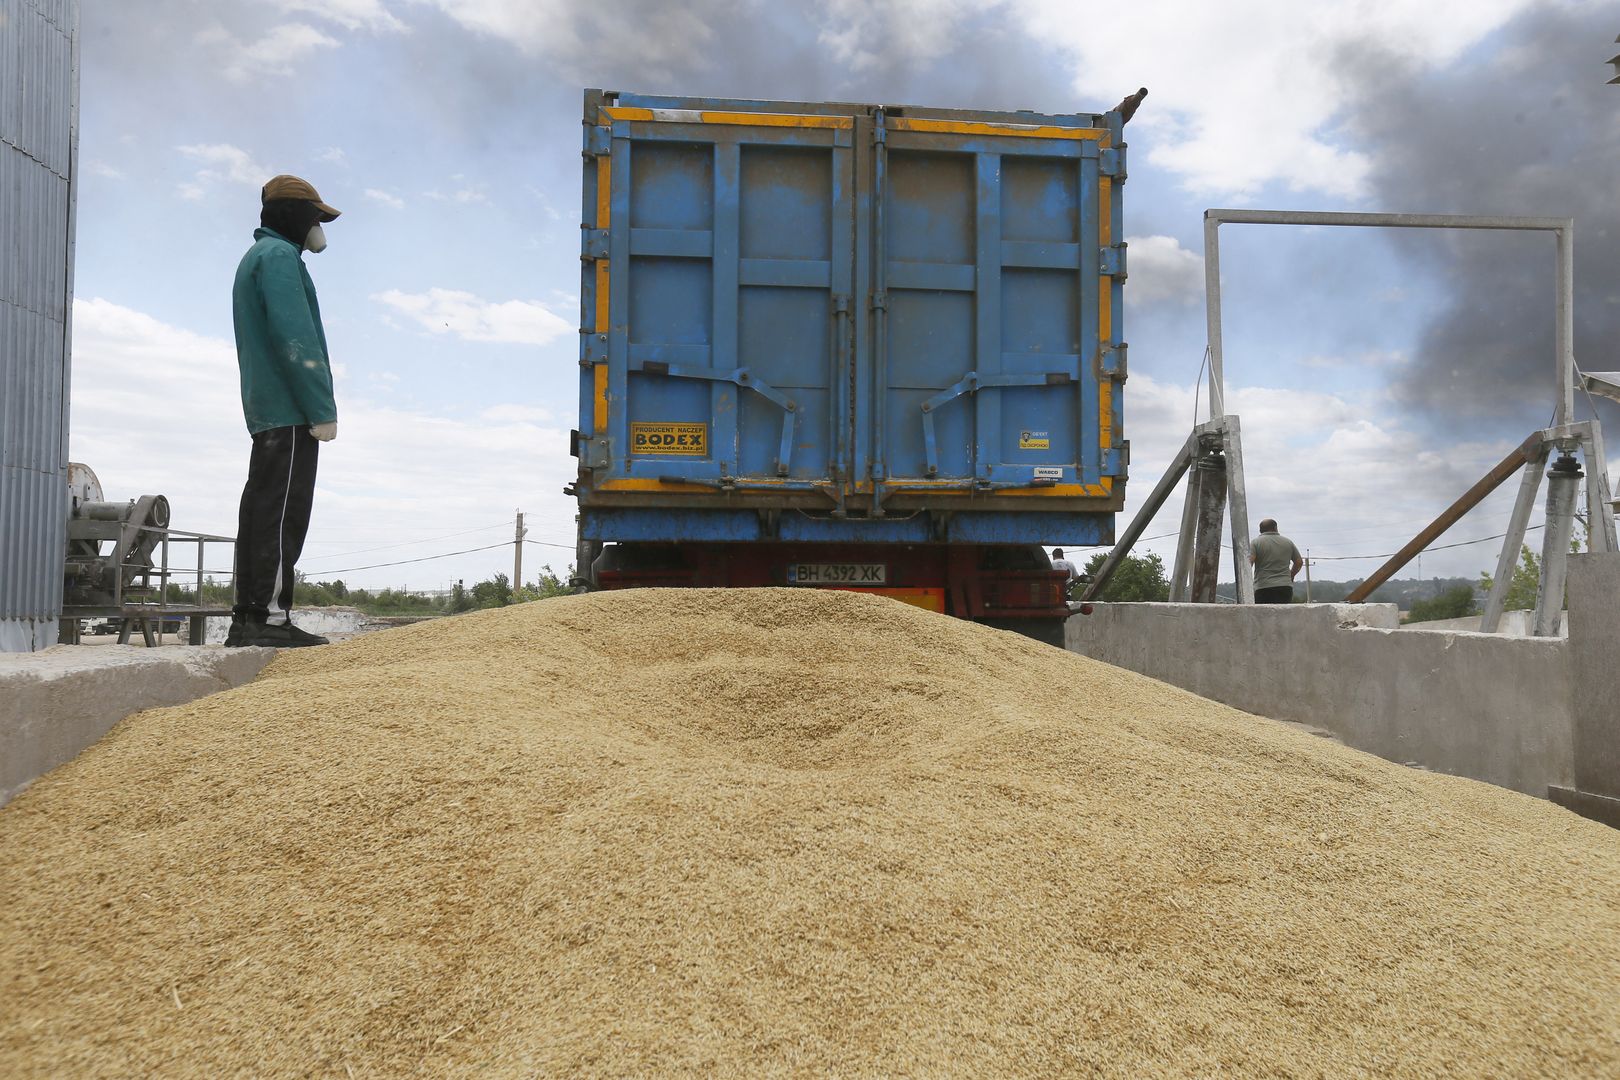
(1486, 707)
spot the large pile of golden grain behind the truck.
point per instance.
(778, 833)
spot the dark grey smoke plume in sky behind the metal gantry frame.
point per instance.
(1528, 129)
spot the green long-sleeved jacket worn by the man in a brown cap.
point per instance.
(281, 347)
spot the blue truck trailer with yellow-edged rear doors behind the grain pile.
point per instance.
(842, 346)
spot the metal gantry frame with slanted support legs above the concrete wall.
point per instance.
(1214, 454)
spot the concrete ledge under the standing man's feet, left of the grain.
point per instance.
(62, 700)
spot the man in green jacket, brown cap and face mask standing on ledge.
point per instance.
(288, 402)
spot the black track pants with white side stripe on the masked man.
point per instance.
(273, 522)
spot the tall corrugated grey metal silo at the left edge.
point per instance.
(40, 96)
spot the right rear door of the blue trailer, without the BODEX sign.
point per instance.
(992, 336)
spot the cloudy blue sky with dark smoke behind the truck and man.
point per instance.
(1376, 375)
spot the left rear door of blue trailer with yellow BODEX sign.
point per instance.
(723, 252)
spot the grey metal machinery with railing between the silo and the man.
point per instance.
(117, 564)
